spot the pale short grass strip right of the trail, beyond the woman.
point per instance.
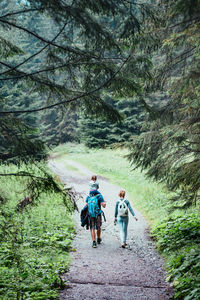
(149, 197)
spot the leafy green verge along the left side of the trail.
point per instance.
(35, 243)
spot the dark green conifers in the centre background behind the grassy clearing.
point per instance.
(95, 132)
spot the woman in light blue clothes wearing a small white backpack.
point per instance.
(121, 216)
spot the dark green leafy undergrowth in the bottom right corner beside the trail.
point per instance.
(179, 238)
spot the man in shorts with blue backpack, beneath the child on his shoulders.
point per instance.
(94, 203)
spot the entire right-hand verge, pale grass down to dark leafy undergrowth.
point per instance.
(177, 234)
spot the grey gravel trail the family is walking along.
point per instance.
(110, 272)
